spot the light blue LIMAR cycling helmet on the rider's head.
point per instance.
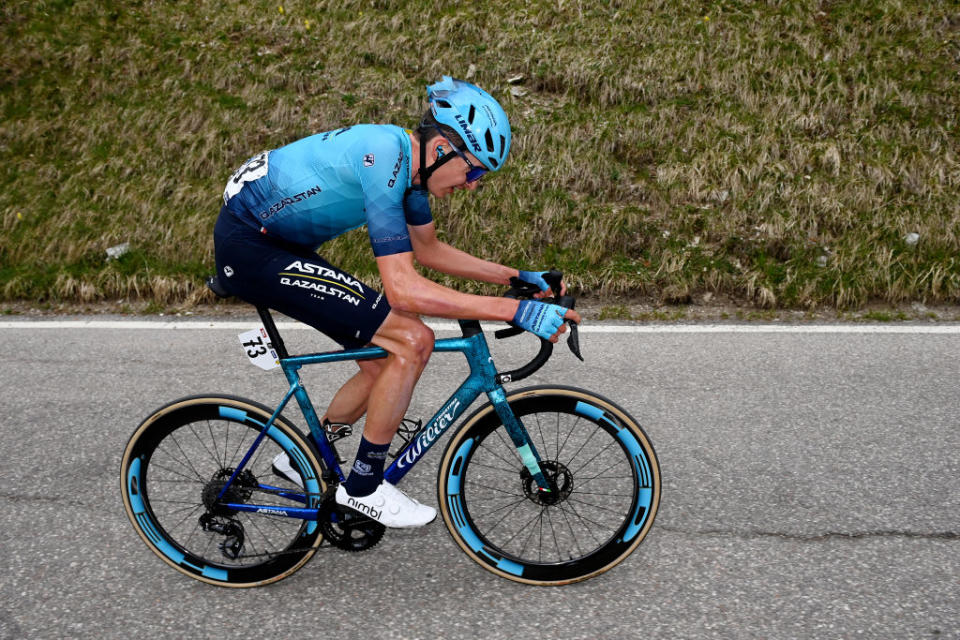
(475, 115)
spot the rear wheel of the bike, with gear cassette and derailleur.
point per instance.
(178, 461)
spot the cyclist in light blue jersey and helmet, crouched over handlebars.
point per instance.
(281, 205)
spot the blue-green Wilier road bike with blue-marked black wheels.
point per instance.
(545, 485)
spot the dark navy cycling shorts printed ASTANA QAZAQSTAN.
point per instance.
(295, 281)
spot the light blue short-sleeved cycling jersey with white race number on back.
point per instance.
(319, 187)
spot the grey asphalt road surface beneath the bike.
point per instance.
(811, 489)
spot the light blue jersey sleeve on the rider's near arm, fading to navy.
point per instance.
(384, 171)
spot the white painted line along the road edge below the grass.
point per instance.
(232, 325)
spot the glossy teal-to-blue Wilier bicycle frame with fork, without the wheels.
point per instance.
(483, 378)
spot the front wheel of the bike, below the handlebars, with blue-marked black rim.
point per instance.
(607, 478)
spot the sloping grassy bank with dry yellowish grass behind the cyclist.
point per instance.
(777, 152)
